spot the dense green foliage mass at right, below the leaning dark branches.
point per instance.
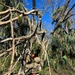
(61, 48)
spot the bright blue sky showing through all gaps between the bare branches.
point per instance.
(46, 18)
